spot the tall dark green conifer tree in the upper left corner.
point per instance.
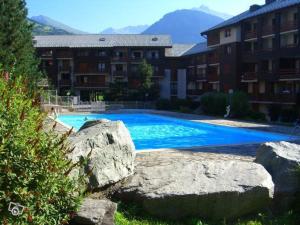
(16, 43)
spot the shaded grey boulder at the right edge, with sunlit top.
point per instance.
(282, 160)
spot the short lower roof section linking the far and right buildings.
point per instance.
(178, 50)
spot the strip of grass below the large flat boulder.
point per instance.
(134, 215)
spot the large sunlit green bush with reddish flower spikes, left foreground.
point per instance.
(33, 165)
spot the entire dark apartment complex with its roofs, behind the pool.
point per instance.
(257, 52)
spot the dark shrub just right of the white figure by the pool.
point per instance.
(240, 106)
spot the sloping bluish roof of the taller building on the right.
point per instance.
(267, 8)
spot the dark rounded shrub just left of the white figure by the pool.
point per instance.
(214, 103)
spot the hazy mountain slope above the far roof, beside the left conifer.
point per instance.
(44, 20)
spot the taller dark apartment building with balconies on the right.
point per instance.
(259, 53)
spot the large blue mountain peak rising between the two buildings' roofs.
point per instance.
(184, 25)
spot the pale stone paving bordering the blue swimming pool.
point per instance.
(248, 149)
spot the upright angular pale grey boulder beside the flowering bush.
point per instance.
(110, 152)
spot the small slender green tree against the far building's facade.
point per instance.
(145, 72)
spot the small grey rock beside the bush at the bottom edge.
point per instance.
(95, 212)
